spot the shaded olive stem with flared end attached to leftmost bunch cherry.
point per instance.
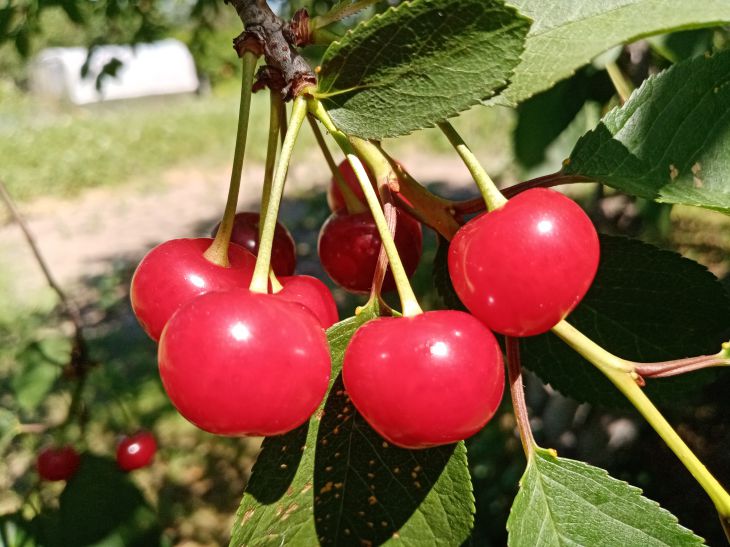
(217, 253)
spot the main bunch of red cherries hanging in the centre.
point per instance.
(238, 362)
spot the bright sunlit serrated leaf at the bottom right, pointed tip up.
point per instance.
(566, 502)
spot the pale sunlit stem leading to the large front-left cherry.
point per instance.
(259, 282)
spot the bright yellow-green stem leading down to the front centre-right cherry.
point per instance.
(380, 165)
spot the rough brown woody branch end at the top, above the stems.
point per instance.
(269, 35)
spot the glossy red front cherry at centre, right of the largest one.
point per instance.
(427, 380)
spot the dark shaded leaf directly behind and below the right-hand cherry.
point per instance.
(645, 304)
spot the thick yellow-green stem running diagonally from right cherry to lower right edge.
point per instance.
(625, 379)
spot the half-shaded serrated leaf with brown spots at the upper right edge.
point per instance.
(669, 141)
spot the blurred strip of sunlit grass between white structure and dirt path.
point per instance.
(49, 150)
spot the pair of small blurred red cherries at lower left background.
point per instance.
(60, 463)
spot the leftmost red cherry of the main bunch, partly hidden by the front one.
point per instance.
(176, 271)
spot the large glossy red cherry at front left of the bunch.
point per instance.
(241, 363)
